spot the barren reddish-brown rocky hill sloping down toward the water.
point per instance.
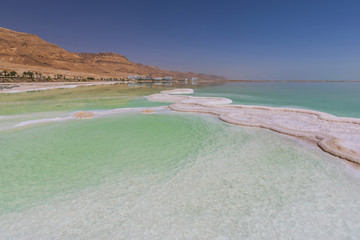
(24, 51)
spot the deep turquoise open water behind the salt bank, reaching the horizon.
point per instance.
(340, 99)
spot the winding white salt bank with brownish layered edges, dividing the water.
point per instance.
(335, 135)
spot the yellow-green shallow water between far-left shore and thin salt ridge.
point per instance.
(74, 99)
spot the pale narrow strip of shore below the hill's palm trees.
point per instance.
(30, 87)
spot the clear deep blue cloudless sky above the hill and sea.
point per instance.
(243, 39)
